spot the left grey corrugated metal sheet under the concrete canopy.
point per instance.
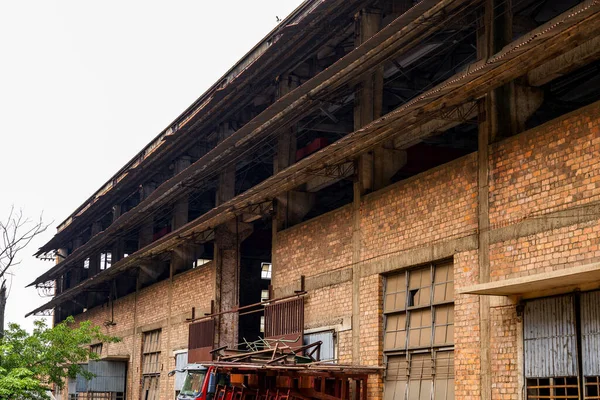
(550, 338)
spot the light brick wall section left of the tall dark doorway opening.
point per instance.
(163, 305)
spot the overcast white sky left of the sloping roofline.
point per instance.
(84, 85)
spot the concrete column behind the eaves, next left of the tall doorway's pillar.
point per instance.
(184, 254)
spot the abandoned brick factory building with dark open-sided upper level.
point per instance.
(415, 184)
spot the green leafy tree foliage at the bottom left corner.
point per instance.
(31, 363)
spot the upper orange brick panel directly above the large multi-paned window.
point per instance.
(421, 210)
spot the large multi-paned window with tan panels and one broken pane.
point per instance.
(419, 333)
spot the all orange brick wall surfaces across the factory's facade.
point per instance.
(553, 167)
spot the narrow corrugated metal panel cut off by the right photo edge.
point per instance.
(590, 333)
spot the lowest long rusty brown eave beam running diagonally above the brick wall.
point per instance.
(548, 41)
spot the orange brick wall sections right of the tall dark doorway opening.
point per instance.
(553, 167)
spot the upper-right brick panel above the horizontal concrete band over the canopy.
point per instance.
(551, 167)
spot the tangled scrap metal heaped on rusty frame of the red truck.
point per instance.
(280, 369)
